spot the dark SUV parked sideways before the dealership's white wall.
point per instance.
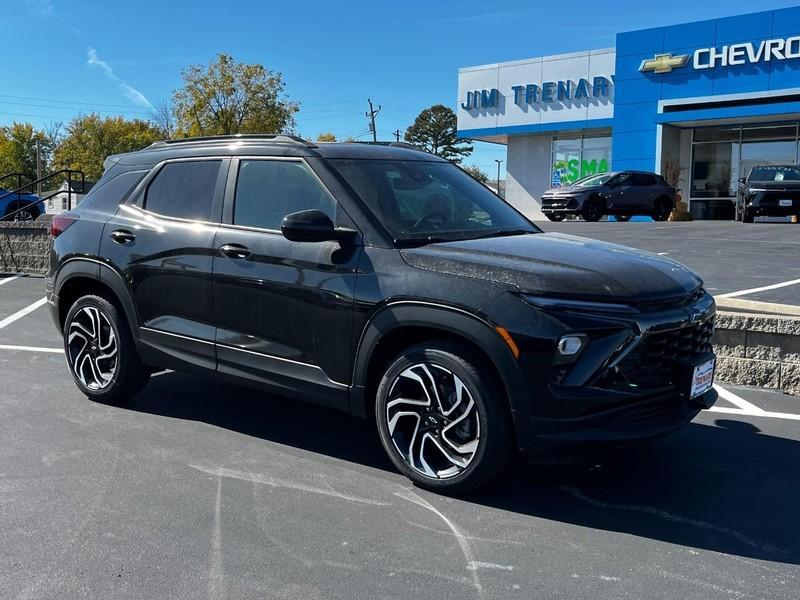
(623, 195)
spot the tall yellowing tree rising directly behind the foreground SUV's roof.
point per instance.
(230, 97)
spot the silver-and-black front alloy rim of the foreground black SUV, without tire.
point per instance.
(433, 420)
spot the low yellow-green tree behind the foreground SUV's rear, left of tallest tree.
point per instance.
(91, 138)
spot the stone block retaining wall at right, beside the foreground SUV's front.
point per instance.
(760, 350)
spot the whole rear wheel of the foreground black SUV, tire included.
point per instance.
(120, 378)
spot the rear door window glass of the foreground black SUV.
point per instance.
(184, 190)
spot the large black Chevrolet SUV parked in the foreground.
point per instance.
(382, 281)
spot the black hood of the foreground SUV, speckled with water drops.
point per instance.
(555, 264)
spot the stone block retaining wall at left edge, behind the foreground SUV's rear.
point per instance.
(24, 246)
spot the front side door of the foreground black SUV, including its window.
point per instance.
(284, 309)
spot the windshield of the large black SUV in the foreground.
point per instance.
(429, 201)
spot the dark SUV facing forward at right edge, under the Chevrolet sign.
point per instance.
(770, 191)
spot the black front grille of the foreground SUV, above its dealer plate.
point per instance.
(651, 364)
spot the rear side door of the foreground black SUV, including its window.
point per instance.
(161, 241)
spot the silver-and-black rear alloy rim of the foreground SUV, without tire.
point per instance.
(92, 348)
